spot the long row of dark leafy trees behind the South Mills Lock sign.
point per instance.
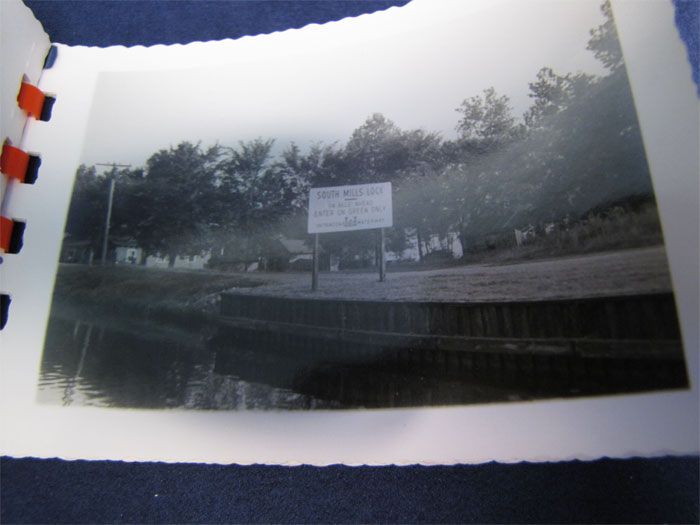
(577, 148)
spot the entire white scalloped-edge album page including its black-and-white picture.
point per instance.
(454, 231)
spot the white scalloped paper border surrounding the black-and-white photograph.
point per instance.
(643, 424)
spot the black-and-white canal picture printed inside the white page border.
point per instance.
(460, 214)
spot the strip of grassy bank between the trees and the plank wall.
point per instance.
(145, 292)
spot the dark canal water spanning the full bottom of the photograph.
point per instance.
(154, 366)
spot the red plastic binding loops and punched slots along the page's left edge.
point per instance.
(20, 167)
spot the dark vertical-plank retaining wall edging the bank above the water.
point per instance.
(638, 317)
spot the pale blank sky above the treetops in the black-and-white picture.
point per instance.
(414, 64)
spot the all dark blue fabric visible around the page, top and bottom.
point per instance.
(46, 491)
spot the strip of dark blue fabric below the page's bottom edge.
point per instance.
(606, 491)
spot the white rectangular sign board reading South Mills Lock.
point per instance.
(348, 208)
